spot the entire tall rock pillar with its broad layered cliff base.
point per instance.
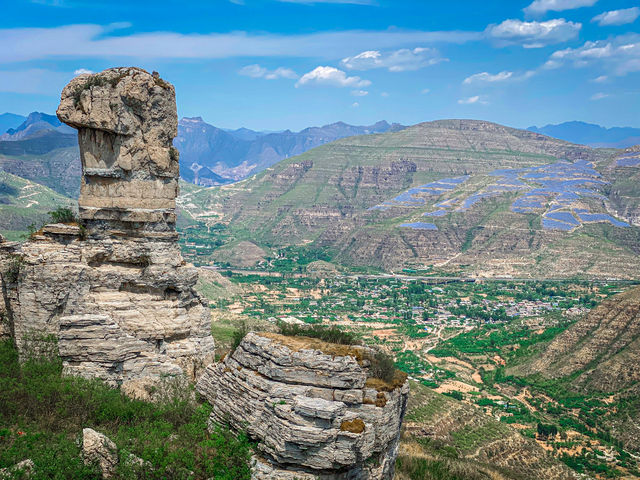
(114, 290)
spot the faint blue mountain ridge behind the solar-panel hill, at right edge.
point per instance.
(591, 134)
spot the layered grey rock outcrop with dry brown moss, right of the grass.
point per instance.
(312, 406)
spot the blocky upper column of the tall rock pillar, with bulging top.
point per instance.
(126, 121)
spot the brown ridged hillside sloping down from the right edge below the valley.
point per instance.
(598, 358)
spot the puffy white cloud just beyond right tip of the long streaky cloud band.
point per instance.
(533, 34)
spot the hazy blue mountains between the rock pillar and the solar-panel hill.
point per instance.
(213, 156)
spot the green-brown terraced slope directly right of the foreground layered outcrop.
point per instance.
(468, 443)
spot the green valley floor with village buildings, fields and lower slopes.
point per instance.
(466, 347)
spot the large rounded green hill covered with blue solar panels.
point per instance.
(468, 197)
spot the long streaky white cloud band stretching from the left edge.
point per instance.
(95, 41)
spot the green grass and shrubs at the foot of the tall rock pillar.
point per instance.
(42, 414)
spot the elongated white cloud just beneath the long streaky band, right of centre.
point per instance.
(401, 60)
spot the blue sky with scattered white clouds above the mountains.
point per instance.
(277, 64)
